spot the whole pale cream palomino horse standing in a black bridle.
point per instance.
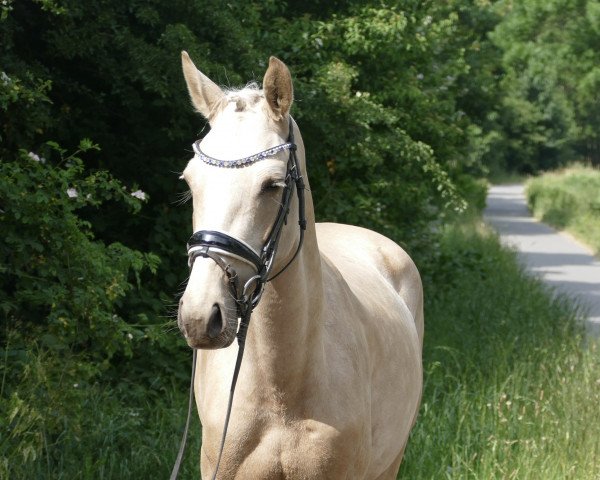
(331, 381)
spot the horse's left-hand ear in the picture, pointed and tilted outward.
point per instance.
(205, 94)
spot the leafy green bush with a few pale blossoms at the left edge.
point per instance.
(54, 275)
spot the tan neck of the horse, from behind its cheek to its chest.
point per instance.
(284, 342)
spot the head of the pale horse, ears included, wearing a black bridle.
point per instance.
(239, 178)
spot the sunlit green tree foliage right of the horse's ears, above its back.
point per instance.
(380, 152)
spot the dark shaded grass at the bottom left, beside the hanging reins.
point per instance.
(92, 431)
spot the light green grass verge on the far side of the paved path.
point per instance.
(569, 199)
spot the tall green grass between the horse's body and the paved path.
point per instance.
(510, 391)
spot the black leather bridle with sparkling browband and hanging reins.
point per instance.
(220, 246)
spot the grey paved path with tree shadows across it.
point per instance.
(558, 259)
